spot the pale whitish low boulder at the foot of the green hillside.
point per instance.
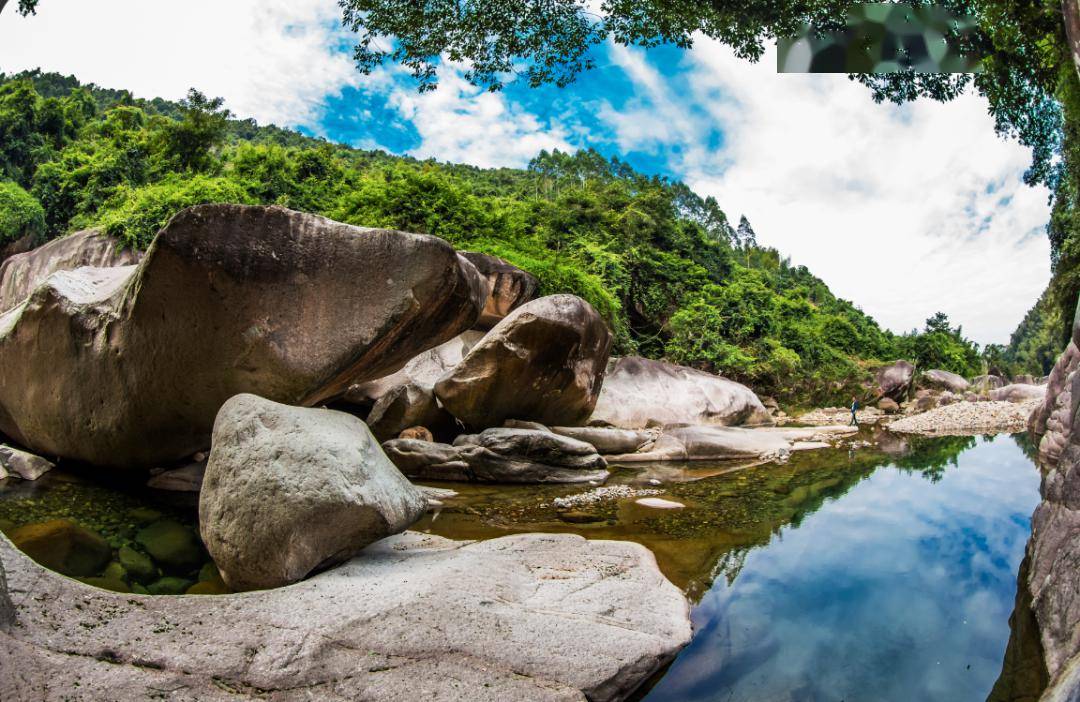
(639, 393)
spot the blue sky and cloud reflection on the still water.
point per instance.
(901, 590)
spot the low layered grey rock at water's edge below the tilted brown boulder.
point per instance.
(501, 456)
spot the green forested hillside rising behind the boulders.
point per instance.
(667, 268)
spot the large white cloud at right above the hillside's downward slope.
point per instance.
(888, 205)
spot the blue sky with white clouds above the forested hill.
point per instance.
(906, 211)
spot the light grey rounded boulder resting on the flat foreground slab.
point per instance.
(292, 490)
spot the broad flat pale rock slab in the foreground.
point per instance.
(528, 617)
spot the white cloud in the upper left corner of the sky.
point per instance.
(273, 60)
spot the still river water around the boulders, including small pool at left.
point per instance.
(884, 572)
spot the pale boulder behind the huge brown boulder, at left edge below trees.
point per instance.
(23, 273)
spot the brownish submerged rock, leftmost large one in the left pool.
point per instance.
(64, 547)
